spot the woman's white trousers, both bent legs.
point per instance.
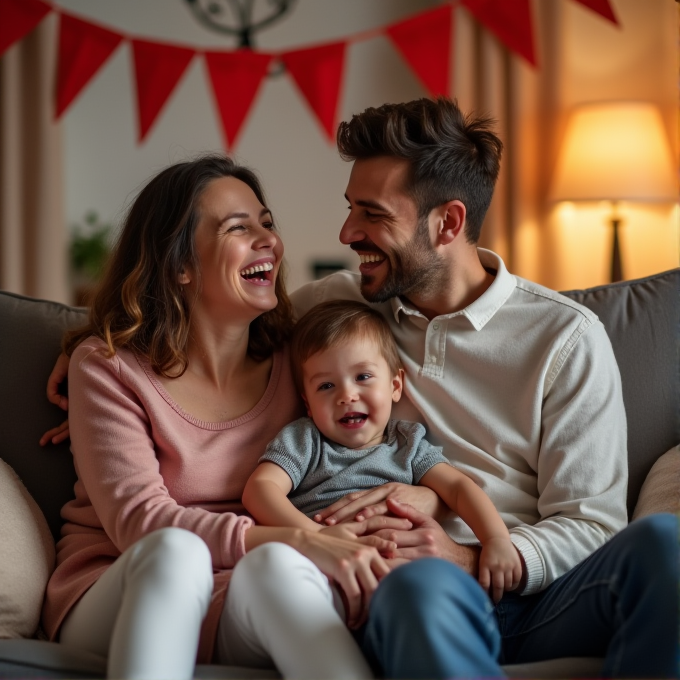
(145, 613)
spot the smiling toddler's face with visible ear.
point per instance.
(349, 392)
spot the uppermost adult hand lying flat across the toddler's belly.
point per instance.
(363, 505)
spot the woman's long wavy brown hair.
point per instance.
(140, 304)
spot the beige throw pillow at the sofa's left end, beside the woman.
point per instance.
(26, 557)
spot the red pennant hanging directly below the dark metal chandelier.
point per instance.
(236, 78)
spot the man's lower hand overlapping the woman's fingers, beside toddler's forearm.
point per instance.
(427, 539)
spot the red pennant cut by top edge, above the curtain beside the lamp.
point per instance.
(510, 21)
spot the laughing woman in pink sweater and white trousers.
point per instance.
(176, 384)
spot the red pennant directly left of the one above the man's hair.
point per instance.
(318, 73)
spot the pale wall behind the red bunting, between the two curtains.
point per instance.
(302, 173)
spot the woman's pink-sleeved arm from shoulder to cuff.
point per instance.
(118, 469)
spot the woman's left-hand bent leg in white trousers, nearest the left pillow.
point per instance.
(145, 612)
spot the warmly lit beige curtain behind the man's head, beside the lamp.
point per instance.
(523, 100)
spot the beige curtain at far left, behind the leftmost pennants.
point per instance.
(33, 237)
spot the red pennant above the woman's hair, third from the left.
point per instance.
(158, 68)
